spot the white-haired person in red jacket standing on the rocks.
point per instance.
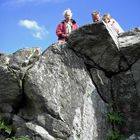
(66, 26)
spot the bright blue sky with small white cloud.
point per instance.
(33, 23)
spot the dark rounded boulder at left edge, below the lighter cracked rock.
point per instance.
(9, 87)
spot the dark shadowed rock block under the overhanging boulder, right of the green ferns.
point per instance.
(127, 100)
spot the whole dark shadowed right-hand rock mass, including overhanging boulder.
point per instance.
(114, 68)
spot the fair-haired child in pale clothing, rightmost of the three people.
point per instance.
(112, 23)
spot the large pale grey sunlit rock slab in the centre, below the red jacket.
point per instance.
(59, 85)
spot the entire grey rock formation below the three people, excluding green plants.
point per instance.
(65, 92)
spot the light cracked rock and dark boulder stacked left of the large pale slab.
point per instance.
(12, 71)
